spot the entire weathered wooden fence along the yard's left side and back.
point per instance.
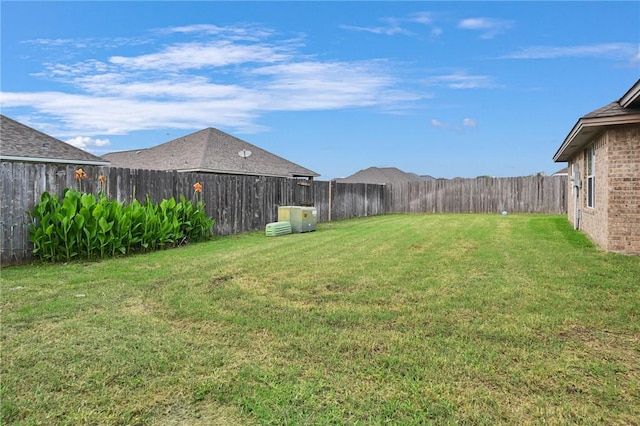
(247, 203)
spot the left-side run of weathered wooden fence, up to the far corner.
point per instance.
(238, 203)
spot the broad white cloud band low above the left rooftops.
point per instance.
(113, 104)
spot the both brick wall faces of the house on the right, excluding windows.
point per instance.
(614, 221)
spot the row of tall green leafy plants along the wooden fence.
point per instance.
(82, 226)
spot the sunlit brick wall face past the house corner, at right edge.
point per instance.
(624, 189)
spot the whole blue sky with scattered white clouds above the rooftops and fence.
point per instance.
(435, 88)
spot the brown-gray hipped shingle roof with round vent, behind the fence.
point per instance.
(209, 150)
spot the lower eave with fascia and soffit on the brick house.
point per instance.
(585, 130)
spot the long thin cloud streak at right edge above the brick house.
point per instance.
(622, 51)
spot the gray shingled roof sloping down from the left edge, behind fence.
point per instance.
(23, 143)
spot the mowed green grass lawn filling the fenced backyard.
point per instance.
(399, 319)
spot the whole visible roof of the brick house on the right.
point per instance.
(626, 110)
